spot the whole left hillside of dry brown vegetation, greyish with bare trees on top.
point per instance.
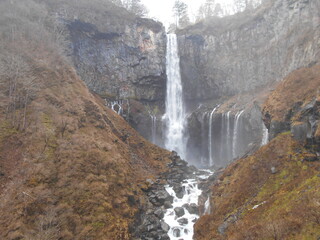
(68, 165)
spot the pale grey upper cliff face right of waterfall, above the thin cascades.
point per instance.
(240, 53)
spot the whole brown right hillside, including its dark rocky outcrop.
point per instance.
(274, 193)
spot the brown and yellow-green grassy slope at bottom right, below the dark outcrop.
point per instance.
(290, 198)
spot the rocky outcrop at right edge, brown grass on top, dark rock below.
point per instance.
(298, 113)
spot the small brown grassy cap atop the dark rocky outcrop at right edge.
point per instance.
(299, 88)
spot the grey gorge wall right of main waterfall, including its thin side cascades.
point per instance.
(231, 63)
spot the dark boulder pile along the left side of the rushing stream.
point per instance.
(150, 223)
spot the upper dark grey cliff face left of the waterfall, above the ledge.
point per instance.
(122, 61)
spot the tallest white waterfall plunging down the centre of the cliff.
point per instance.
(175, 110)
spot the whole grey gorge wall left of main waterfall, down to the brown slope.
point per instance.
(121, 57)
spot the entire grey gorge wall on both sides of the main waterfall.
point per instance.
(227, 62)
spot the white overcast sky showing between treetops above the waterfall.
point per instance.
(162, 9)
